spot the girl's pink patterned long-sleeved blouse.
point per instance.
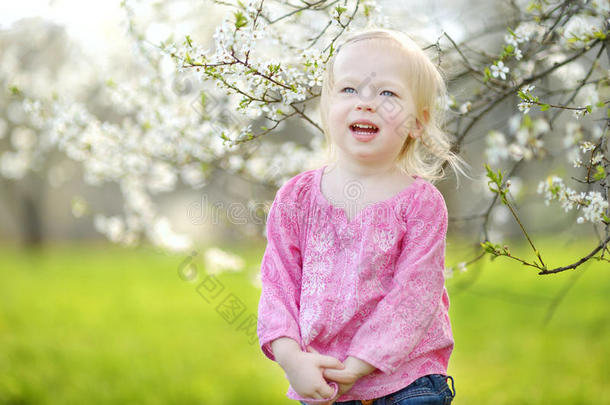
(372, 287)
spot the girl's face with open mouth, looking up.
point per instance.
(371, 111)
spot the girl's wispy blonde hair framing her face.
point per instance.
(424, 155)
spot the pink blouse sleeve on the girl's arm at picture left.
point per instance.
(278, 309)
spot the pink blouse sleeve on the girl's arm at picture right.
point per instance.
(401, 318)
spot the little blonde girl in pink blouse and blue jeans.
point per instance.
(353, 304)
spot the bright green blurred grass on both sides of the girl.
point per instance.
(103, 325)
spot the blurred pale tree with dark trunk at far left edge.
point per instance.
(35, 56)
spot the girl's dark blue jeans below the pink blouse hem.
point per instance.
(431, 389)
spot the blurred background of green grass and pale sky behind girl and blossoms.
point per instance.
(85, 319)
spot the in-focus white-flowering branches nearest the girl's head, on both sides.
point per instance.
(547, 40)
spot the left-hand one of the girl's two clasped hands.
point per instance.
(304, 372)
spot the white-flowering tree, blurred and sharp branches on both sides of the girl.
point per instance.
(220, 107)
